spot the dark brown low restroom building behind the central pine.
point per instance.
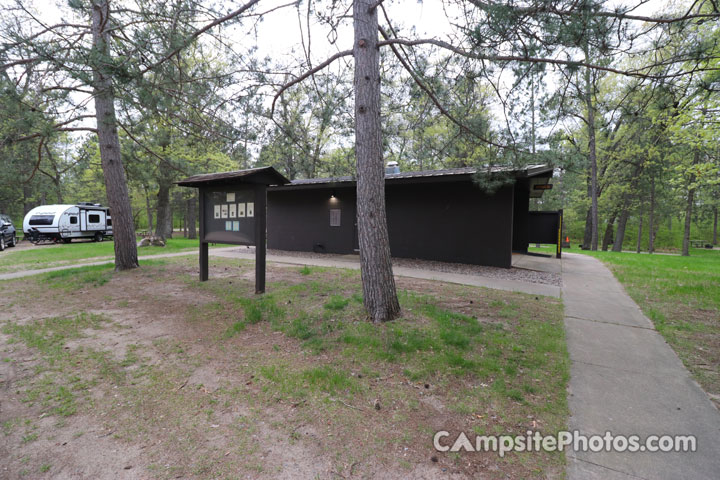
(433, 215)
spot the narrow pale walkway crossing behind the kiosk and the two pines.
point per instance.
(335, 261)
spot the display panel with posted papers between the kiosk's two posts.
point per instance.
(230, 215)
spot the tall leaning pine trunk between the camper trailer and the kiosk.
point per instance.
(113, 171)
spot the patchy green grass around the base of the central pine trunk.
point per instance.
(427, 343)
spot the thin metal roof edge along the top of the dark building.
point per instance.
(447, 173)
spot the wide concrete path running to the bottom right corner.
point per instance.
(625, 379)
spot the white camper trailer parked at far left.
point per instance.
(53, 223)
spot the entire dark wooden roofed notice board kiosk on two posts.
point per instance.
(233, 210)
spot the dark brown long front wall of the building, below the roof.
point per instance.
(443, 221)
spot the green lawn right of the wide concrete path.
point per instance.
(681, 295)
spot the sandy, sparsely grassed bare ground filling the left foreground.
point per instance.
(133, 375)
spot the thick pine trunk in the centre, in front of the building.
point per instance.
(379, 292)
